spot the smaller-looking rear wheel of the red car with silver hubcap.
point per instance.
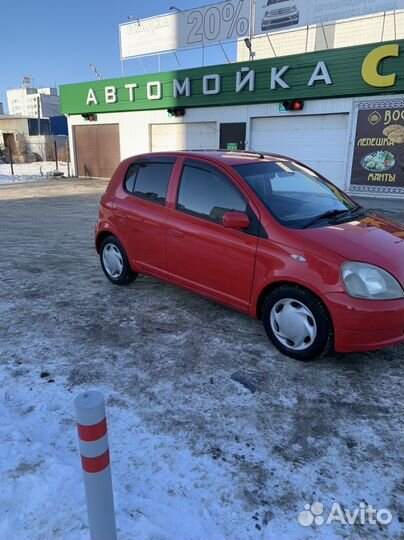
(115, 263)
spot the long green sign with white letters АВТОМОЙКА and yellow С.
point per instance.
(351, 71)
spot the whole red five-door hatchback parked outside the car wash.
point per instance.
(263, 234)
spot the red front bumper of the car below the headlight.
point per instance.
(365, 325)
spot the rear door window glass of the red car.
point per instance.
(149, 180)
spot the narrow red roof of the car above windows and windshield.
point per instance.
(226, 157)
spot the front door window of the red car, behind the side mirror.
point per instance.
(208, 194)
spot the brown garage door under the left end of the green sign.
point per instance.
(97, 150)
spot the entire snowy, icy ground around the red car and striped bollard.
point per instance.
(213, 434)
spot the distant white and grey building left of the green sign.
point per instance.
(27, 101)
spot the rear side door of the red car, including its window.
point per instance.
(142, 213)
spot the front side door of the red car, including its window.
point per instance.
(201, 253)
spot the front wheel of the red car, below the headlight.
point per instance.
(297, 323)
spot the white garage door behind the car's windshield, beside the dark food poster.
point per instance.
(319, 141)
